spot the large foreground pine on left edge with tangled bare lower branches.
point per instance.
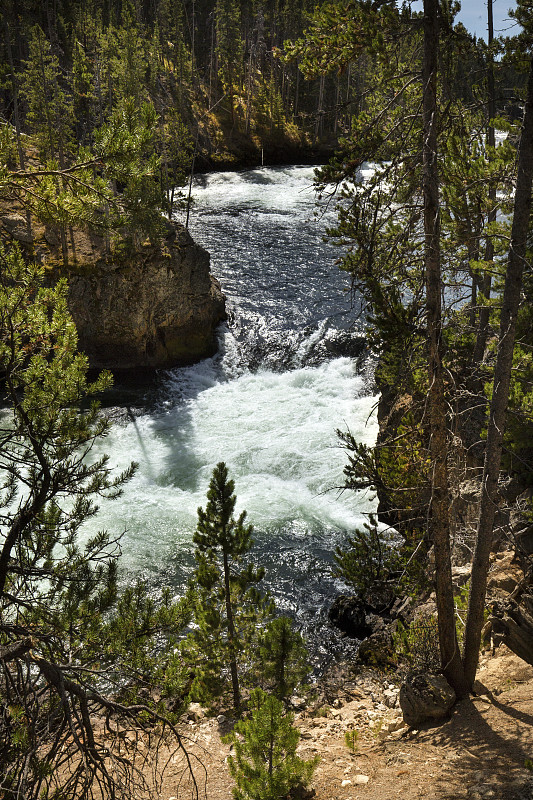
(70, 642)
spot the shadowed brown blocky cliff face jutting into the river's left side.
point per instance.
(155, 309)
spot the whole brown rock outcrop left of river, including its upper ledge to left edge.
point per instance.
(152, 307)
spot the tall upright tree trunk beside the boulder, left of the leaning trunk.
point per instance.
(439, 526)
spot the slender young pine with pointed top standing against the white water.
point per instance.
(228, 607)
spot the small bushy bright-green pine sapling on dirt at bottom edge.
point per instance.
(265, 765)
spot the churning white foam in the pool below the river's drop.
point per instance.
(276, 433)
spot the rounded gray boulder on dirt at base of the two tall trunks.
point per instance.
(425, 697)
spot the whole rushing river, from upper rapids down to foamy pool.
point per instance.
(268, 404)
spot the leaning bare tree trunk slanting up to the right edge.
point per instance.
(501, 382)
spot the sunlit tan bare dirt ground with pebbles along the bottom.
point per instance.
(480, 752)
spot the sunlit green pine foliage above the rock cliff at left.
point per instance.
(85, 193)
